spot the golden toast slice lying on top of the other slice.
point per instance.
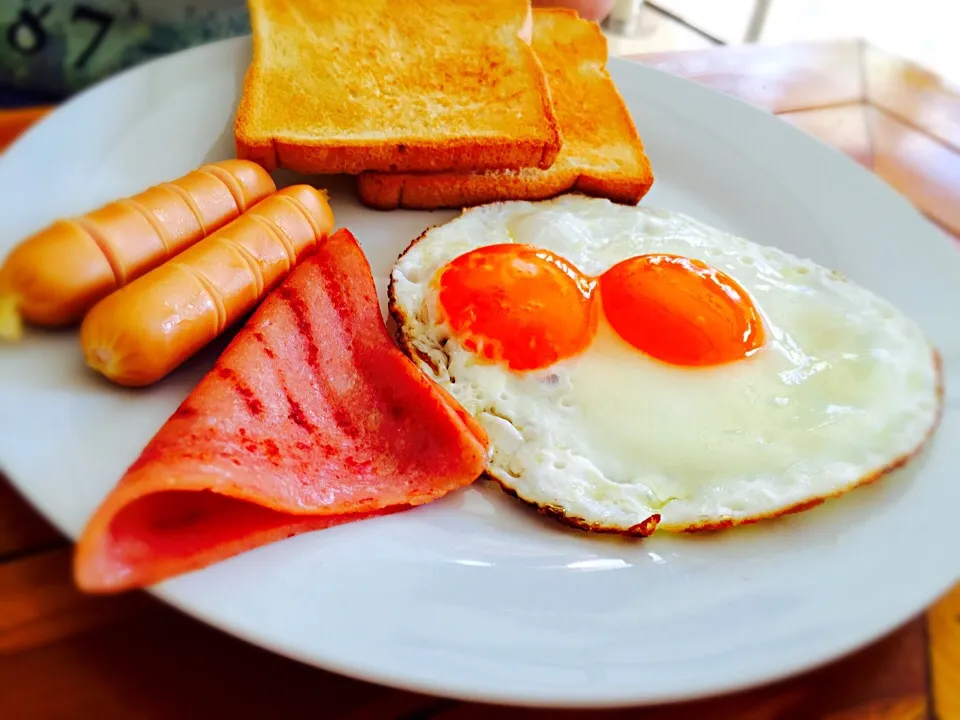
(342, 86)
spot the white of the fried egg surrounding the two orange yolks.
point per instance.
(844, 388)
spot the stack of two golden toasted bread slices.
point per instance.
(438, 103)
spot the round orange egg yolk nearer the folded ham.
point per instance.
(518, 304)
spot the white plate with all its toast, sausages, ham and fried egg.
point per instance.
(441, 351)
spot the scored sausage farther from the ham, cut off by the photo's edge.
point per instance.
(53, 277)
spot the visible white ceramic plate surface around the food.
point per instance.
(475, 596)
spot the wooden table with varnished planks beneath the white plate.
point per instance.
(63, 655)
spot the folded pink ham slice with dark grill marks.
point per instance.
(311, 417)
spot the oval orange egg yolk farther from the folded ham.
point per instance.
(680, 310)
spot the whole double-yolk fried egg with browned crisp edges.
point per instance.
(635, 368)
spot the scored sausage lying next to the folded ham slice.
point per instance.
(140, 333)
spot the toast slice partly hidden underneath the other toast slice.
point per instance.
(602, 153)
